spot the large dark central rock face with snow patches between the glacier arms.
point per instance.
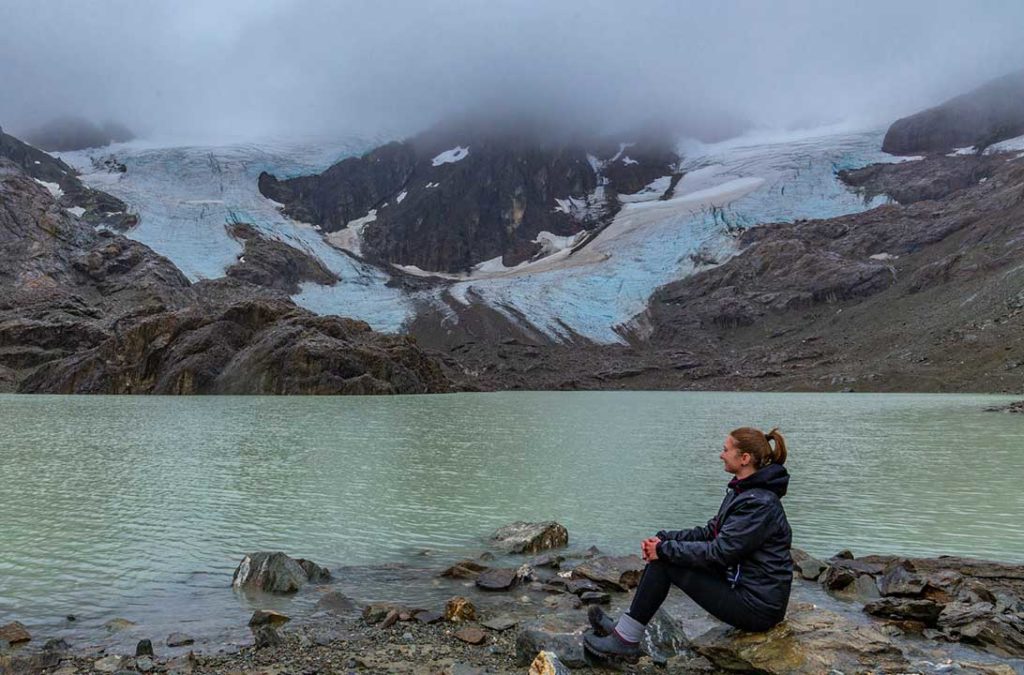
(457, 196)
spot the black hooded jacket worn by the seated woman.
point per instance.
(749, 541)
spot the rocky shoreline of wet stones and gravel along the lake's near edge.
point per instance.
(521, 607)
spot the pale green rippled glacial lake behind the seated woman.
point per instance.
(142, 508)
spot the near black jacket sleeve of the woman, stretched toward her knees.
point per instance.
(744, 532)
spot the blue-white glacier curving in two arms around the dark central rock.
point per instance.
(186, 195)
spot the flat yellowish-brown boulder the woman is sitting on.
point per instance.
(810, 642)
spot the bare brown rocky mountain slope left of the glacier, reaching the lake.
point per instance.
(89, 312)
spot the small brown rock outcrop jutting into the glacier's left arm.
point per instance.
(274, 265)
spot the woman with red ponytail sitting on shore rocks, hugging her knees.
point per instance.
(739, 568)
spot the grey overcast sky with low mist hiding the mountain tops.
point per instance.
(205, 69)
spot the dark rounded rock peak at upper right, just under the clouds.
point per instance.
(992, 113)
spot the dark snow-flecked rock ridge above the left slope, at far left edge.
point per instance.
(100, 208)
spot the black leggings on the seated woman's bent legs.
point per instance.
(709, 589)
